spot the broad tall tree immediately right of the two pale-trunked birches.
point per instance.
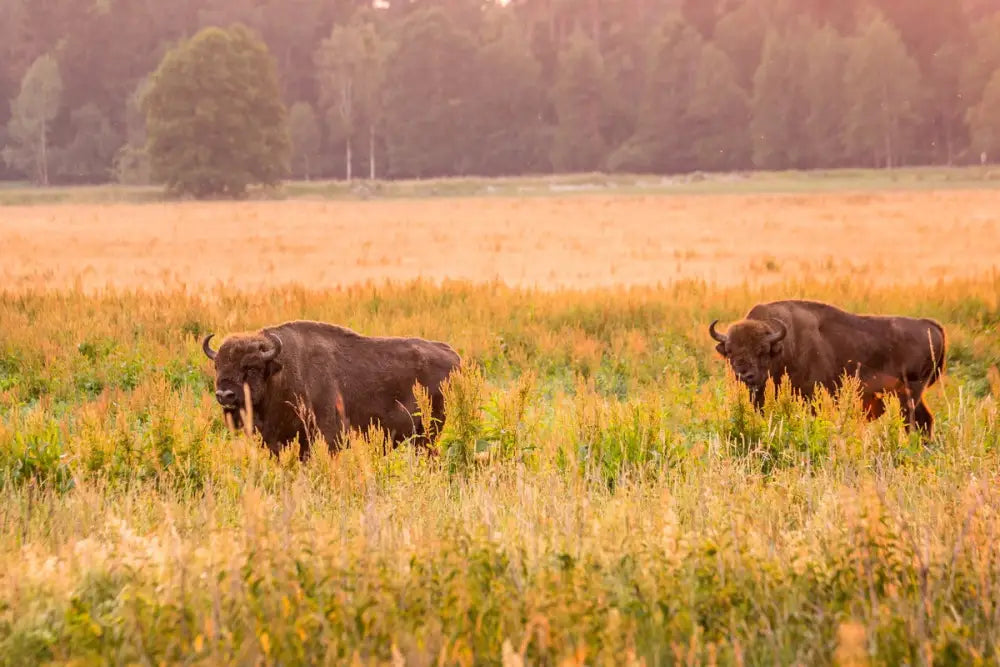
(429, 97)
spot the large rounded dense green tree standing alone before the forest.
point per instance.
(214, 117)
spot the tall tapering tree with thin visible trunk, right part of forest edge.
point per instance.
(885, 87)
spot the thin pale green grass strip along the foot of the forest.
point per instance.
(911, 178)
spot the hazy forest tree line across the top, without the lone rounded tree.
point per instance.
(427, 88)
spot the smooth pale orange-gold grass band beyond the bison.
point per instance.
(572, 242)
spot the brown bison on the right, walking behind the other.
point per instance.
(818, 344)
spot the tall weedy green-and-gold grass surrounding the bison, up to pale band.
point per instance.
(604, 495)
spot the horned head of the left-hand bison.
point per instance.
(240, 360)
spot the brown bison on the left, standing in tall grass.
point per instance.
(307, 377)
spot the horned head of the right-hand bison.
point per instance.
(749, 346)
